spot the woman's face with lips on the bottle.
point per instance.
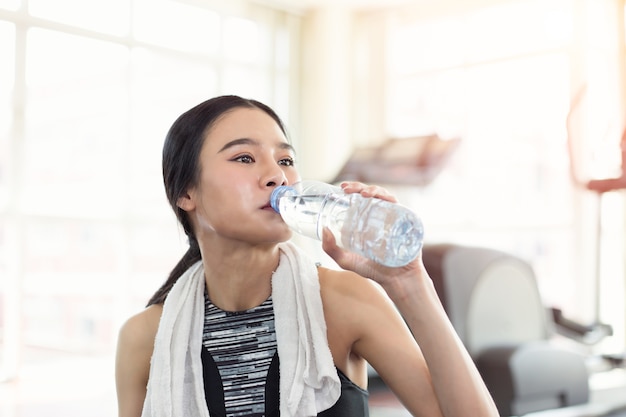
(245, 156)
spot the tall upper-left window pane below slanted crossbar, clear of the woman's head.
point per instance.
(76, 132)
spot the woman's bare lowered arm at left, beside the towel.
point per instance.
(132, 361)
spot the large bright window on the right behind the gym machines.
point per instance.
(503, 78)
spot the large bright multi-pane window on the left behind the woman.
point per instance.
(88, 92)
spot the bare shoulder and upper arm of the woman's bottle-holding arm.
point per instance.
(363, 323)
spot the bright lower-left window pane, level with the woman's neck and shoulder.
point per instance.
(69, 268)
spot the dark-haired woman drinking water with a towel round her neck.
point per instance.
(221, 161)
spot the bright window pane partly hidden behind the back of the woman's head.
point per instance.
(163, 87)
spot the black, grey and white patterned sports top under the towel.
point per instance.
(241, 367)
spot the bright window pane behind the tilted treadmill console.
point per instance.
(511, 141)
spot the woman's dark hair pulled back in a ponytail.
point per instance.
(181, 168)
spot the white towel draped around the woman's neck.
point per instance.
(309, 382)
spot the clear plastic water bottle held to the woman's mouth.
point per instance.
(385, 232)
